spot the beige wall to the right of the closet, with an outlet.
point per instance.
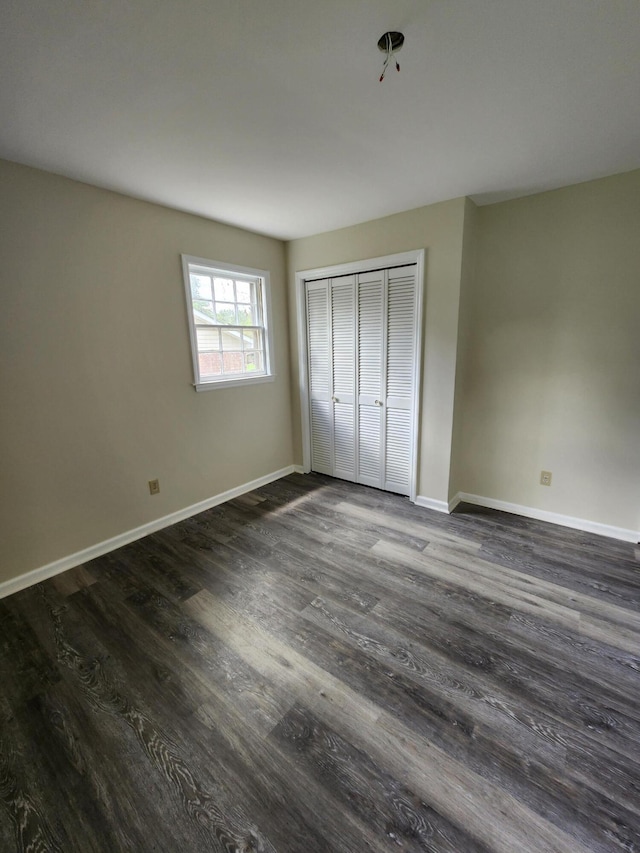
(552, 364)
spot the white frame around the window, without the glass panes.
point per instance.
(238, 272)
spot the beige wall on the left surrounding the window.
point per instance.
(96, 369)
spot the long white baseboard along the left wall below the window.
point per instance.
(80, 557)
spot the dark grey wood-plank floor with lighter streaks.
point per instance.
(320, 667)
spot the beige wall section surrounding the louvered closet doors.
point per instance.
(438, 229)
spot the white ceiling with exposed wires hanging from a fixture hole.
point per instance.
(268, 114)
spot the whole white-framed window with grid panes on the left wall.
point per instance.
(228, 321)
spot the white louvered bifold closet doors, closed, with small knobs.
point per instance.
(361, 340)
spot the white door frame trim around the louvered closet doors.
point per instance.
(415, 257)
